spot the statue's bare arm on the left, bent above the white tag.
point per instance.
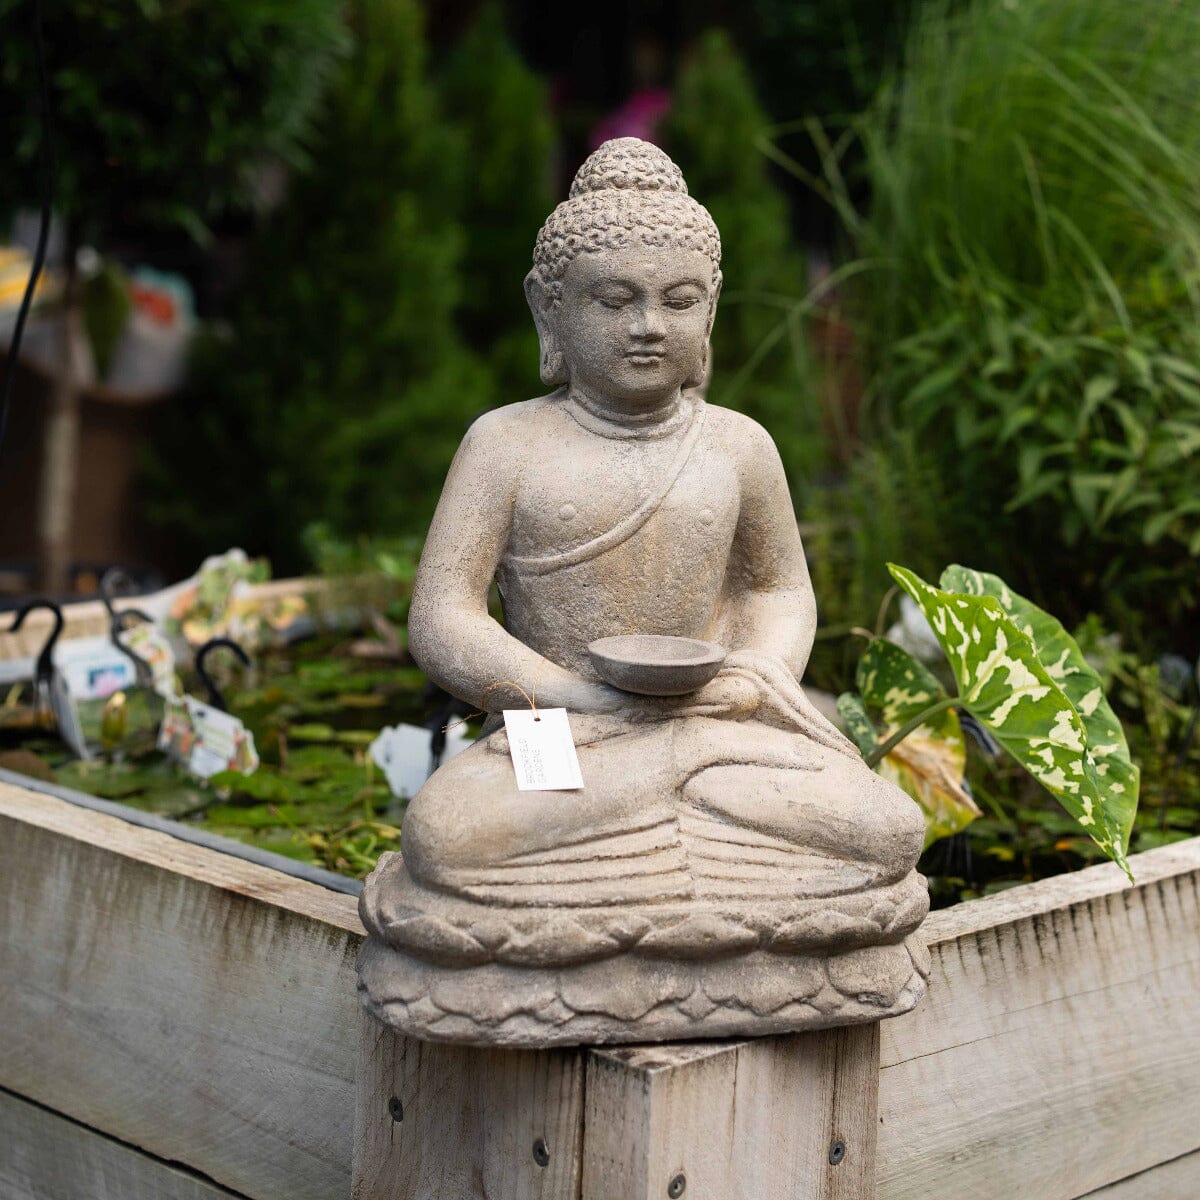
(451, 633)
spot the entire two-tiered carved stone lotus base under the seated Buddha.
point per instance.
(447, 969)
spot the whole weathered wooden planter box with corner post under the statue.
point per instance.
(181, 1023)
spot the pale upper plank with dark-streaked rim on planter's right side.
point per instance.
(1059, 1048)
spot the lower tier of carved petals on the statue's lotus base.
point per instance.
(632, 999)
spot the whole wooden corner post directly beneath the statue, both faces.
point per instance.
(775, 1119)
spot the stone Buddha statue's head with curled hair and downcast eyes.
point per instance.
(626, 280)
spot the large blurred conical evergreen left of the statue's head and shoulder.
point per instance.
(343, 387)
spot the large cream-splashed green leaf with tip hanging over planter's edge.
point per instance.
(1005, 685)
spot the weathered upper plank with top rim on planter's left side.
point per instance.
(182, 1000)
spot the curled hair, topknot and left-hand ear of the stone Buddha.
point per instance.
(628, 191)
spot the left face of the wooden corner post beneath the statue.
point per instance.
(440, 1121)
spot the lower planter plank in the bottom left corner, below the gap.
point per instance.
(47, 1157)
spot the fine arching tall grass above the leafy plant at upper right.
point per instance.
(1042, 149)
